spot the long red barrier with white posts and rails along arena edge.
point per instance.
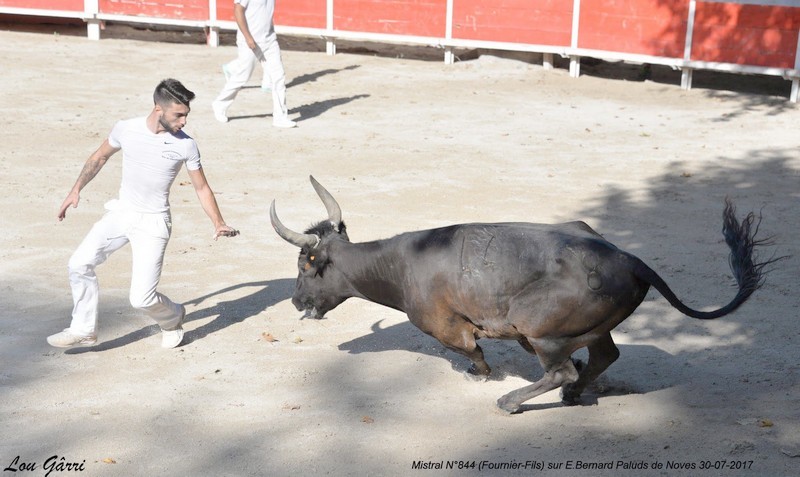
(740, 36)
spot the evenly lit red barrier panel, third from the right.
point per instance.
(537, 22)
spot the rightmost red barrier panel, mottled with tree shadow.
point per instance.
(746, 34)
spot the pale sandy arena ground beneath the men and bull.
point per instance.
(403, 143)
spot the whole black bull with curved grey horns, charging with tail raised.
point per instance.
(553, 288)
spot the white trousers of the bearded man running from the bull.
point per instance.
(148, 235)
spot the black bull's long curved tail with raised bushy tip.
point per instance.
(747, 270)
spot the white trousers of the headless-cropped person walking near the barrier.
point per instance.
(241, 69)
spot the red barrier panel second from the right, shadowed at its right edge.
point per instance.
(644, 27)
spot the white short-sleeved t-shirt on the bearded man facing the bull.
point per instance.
(150, 163)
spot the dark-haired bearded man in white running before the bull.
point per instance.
(154, 148)
